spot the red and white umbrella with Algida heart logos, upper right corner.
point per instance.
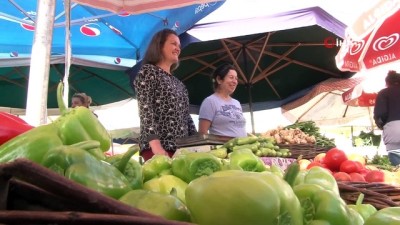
(373, 40)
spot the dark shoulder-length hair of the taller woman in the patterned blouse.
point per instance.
(153, 54)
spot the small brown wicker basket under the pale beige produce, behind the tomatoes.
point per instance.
(306, 151)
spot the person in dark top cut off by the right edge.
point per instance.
(387, 115)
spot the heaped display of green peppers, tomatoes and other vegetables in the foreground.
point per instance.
(228, 185)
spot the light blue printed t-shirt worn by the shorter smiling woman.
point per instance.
(226, 116)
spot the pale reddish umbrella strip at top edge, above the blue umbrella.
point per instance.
(141, 6)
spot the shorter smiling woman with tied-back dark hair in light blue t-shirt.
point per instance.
(220, 114)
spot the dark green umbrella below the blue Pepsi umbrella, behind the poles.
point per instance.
(104, 85)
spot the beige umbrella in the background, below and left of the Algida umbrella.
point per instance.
(324, 105)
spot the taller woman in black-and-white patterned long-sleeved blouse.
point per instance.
(163, 100)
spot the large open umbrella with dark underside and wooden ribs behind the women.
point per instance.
(276, 55)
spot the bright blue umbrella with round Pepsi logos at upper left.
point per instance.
(120, 38)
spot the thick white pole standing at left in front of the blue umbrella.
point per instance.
(36, 106)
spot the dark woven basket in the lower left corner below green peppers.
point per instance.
(33, 194)
